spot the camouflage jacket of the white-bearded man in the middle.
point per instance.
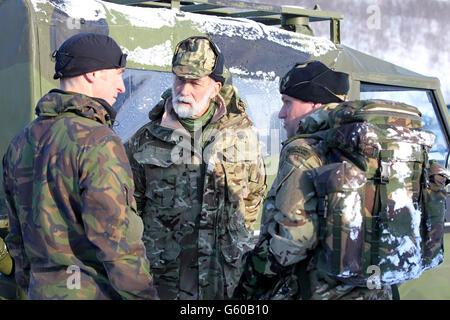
(199, 196)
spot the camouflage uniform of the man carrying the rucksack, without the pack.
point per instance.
(283, 262)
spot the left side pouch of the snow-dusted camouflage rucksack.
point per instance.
(340, 190)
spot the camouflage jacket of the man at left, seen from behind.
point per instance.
(74, 231)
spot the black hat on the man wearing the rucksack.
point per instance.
(314, 82)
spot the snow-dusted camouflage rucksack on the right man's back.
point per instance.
(381, 201)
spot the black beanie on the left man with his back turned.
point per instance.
(87, 52)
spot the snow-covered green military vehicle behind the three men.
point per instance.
(260, 42)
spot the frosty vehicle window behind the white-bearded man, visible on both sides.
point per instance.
(144, 89)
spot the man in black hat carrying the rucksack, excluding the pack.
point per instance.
(282, 264)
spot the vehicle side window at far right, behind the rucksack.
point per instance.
(422, 99)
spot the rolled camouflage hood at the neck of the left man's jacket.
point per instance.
(57, 102)
